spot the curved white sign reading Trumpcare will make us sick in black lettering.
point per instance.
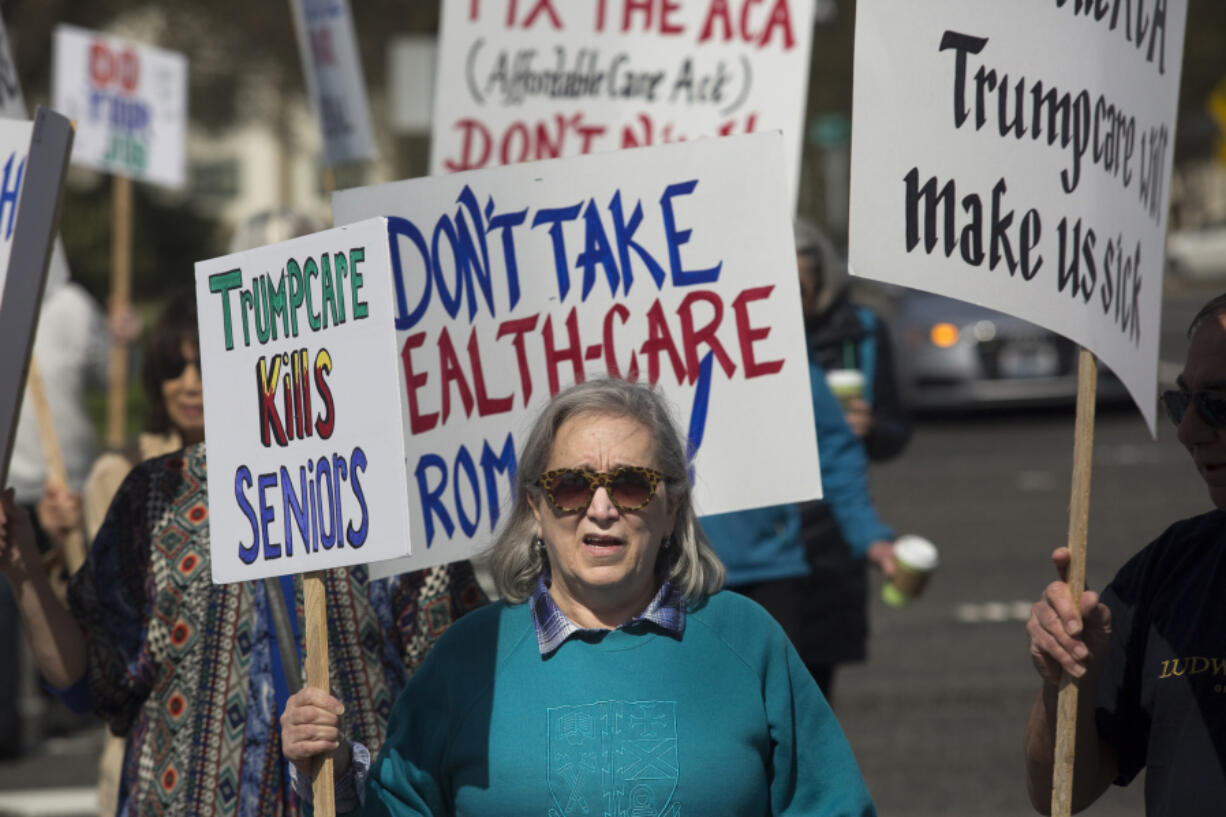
(1018, 155)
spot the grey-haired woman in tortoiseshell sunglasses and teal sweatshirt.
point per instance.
(614, 675)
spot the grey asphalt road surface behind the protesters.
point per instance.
(937, 716)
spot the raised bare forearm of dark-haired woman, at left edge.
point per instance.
(56, 639)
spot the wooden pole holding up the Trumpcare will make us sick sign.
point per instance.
(1079, 527)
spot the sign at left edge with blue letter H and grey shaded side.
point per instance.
(34, 161)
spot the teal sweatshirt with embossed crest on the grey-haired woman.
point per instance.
(723, 721)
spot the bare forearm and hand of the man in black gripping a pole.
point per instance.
(1067, 640)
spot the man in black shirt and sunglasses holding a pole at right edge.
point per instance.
(1151, 654)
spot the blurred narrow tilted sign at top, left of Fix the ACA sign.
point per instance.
(333, 68)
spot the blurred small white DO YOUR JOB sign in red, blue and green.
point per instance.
(129, 102)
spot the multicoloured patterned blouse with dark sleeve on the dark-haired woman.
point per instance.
(185, 668)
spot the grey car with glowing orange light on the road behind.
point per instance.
(956, 355)
